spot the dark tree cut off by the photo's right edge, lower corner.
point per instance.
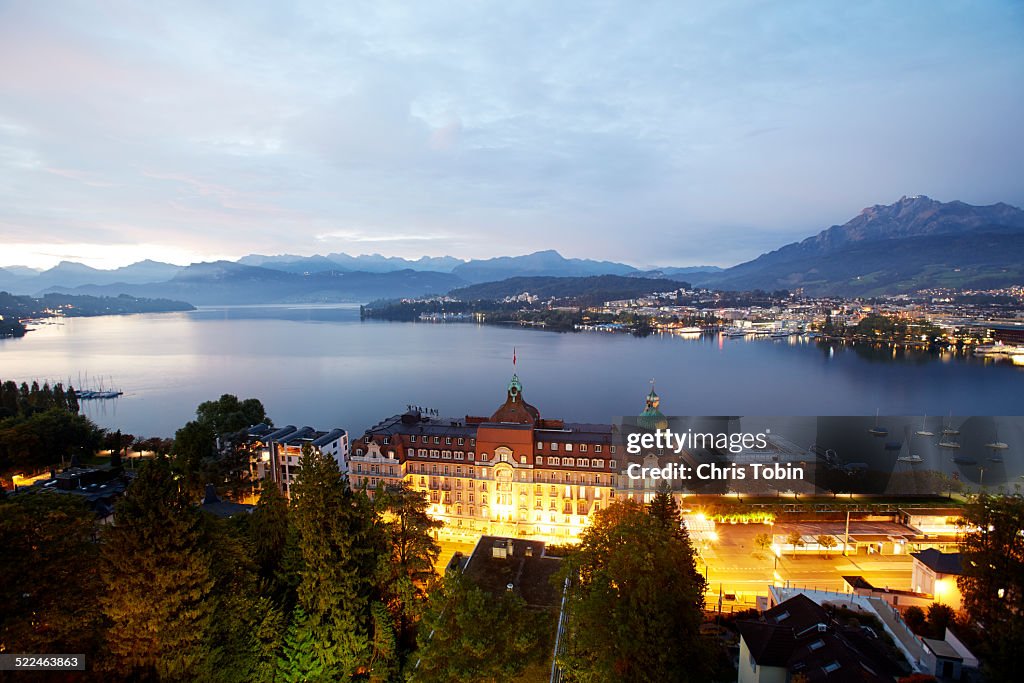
(993, 580)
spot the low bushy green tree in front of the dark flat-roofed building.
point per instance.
(471, 636)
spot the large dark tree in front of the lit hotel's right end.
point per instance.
(634, 615)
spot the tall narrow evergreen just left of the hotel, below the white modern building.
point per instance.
(333, 526)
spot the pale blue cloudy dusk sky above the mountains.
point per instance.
(653, 134)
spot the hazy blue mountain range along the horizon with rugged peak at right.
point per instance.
(913, 244)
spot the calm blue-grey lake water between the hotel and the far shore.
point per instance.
(321, 366)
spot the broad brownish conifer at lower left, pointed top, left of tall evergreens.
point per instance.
(159, 582)
